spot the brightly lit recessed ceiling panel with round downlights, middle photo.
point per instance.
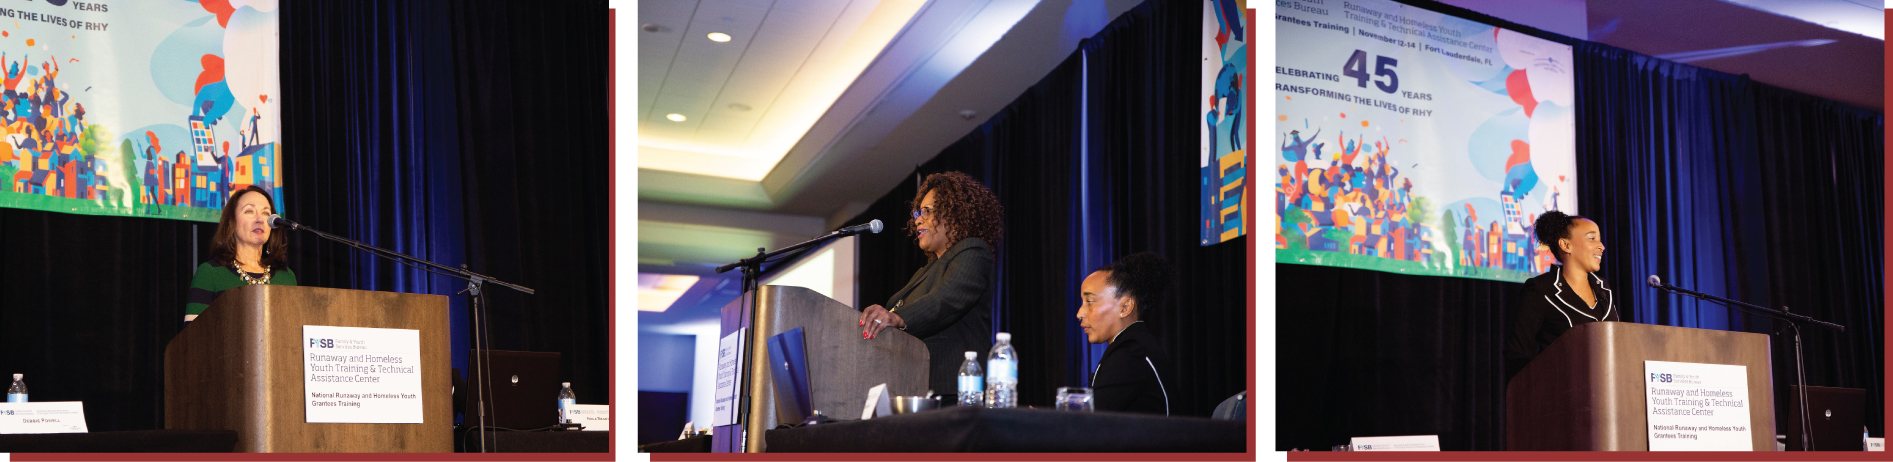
(734, 109)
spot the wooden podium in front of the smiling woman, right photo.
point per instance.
(1587, 391)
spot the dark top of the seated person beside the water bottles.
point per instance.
(1133, 376)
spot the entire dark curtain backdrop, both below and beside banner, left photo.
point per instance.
(380, 96)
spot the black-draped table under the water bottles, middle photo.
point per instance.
(1008, 431)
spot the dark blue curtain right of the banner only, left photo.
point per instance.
(459, 133)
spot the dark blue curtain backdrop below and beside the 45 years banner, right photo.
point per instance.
(1708, 179)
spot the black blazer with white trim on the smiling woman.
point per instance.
(1548, 308)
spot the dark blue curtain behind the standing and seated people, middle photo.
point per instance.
(1076, 204)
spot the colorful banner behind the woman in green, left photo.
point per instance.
(139, 109)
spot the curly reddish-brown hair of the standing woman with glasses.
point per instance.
(964, 205)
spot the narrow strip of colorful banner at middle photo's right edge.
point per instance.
(1226, 130)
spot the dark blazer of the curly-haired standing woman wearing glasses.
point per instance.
(949, 308)
